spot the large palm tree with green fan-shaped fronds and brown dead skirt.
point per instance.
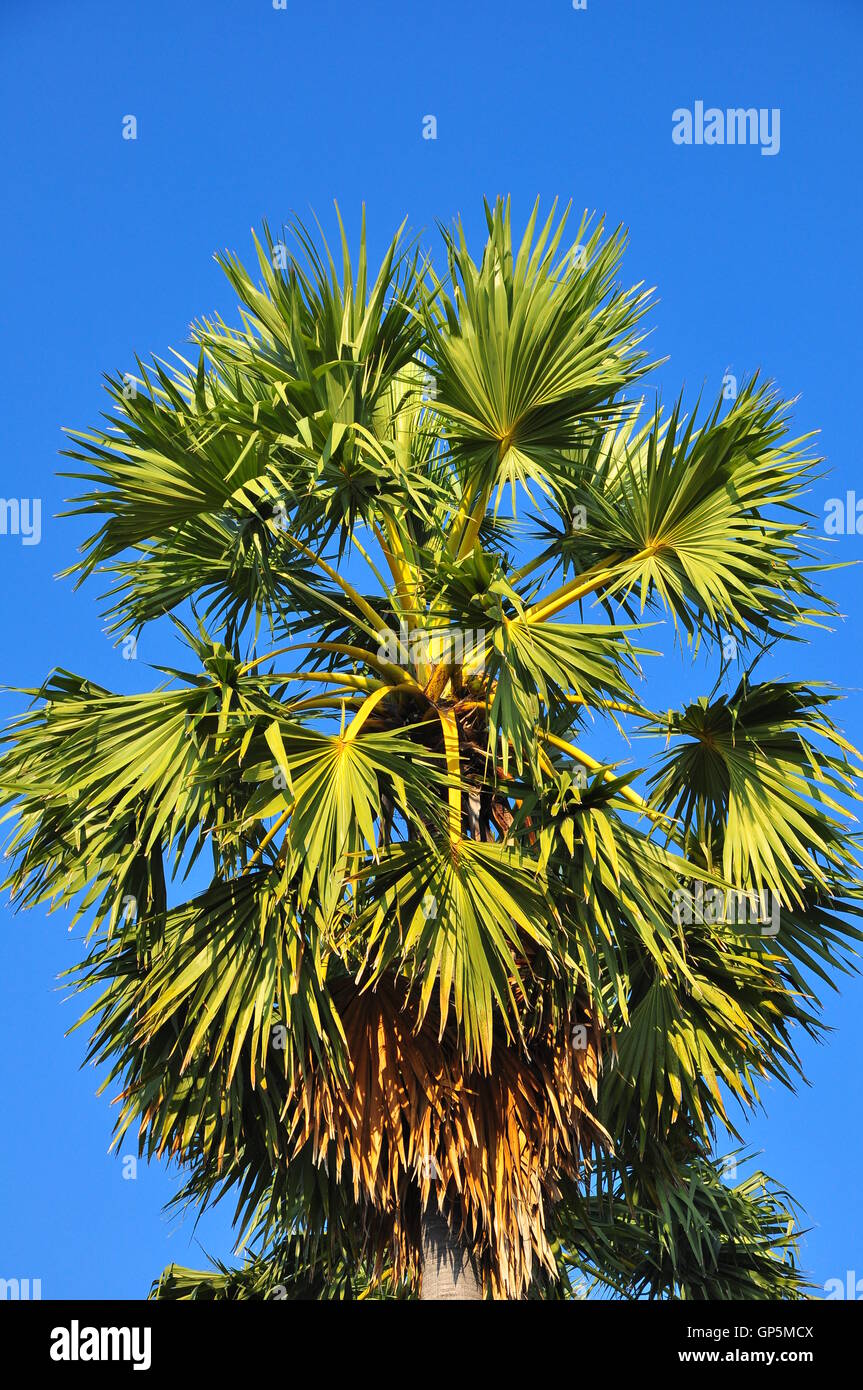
(455, 1007)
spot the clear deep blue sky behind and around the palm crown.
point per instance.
(245, 112)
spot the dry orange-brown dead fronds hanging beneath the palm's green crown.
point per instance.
(413, 1129)
